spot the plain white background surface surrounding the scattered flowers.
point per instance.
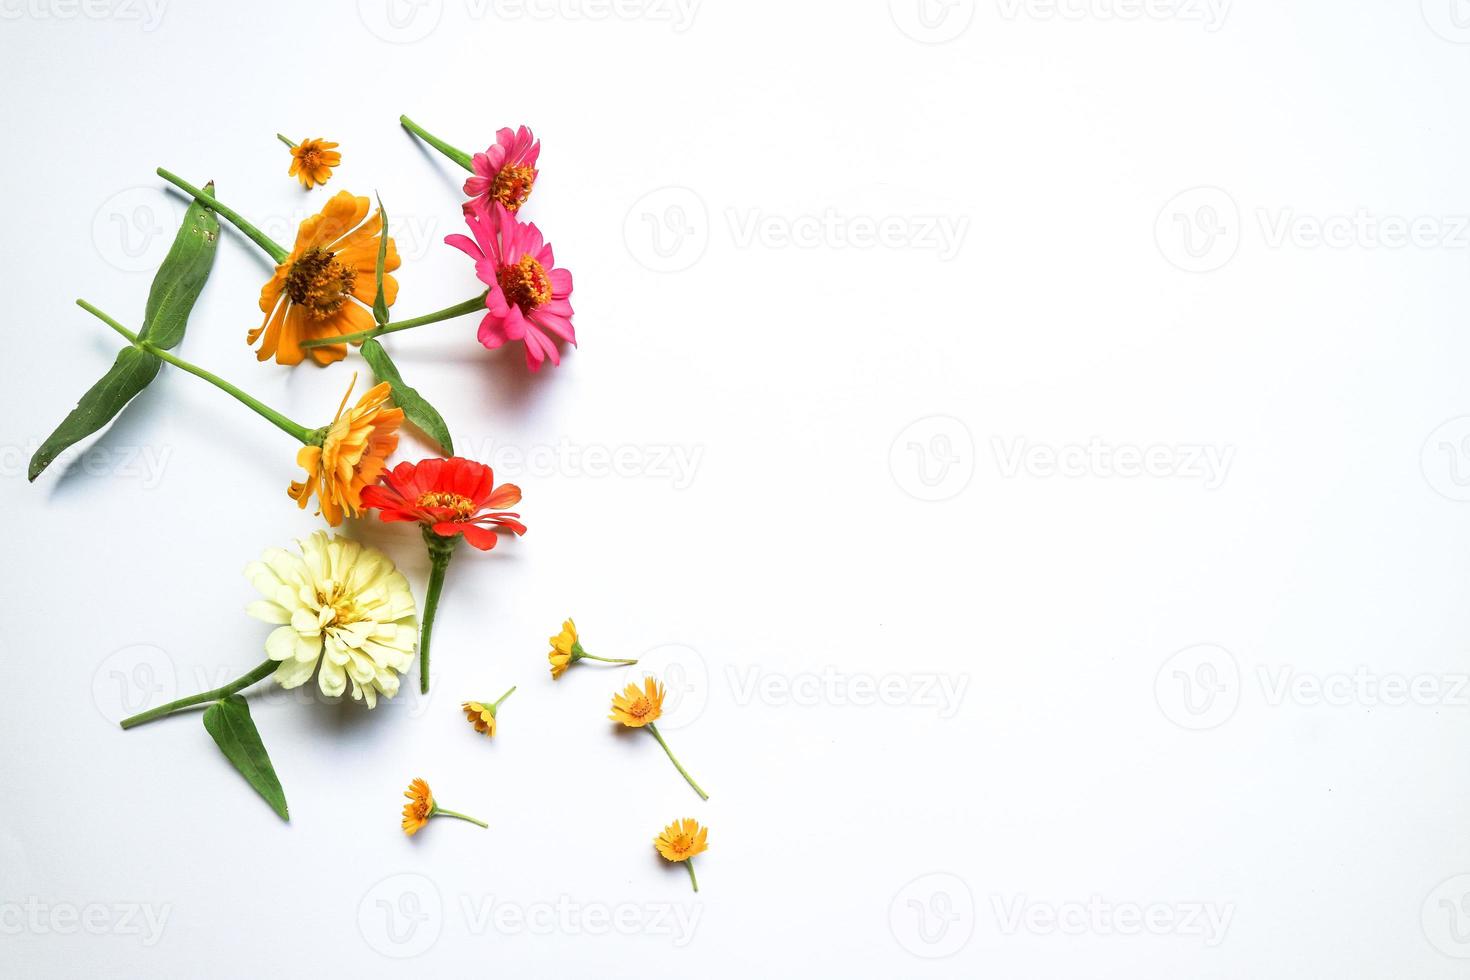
(1178, 741)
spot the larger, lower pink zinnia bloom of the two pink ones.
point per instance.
(528, 295)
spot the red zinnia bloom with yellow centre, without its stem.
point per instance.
(449, 497)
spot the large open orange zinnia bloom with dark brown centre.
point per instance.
(327, 286)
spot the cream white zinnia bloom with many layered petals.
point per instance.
(343, 605)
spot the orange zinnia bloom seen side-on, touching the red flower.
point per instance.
(352, 455)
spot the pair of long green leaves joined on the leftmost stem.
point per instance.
(176, 289)
